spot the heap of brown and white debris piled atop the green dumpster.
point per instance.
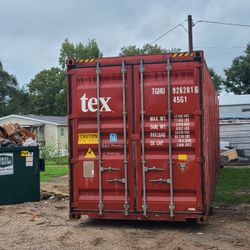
(14, 135)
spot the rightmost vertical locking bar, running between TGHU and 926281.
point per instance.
(171, 204)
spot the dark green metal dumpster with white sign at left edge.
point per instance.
(19, 174)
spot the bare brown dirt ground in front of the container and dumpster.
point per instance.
(45, 225)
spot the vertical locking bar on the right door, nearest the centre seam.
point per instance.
(144, 198)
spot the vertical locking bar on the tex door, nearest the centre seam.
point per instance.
(124, 113)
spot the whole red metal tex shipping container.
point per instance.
(148, 149)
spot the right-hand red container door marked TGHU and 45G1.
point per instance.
(167, 118)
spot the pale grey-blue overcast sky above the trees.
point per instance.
(33, 30)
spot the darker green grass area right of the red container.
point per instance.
(233, 186)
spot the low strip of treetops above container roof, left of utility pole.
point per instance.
(146, 49)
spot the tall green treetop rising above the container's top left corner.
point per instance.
(78, 51)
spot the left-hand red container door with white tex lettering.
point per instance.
(101, 139)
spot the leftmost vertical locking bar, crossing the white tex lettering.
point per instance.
(98, 72)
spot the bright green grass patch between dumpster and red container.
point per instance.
(52, 171)
